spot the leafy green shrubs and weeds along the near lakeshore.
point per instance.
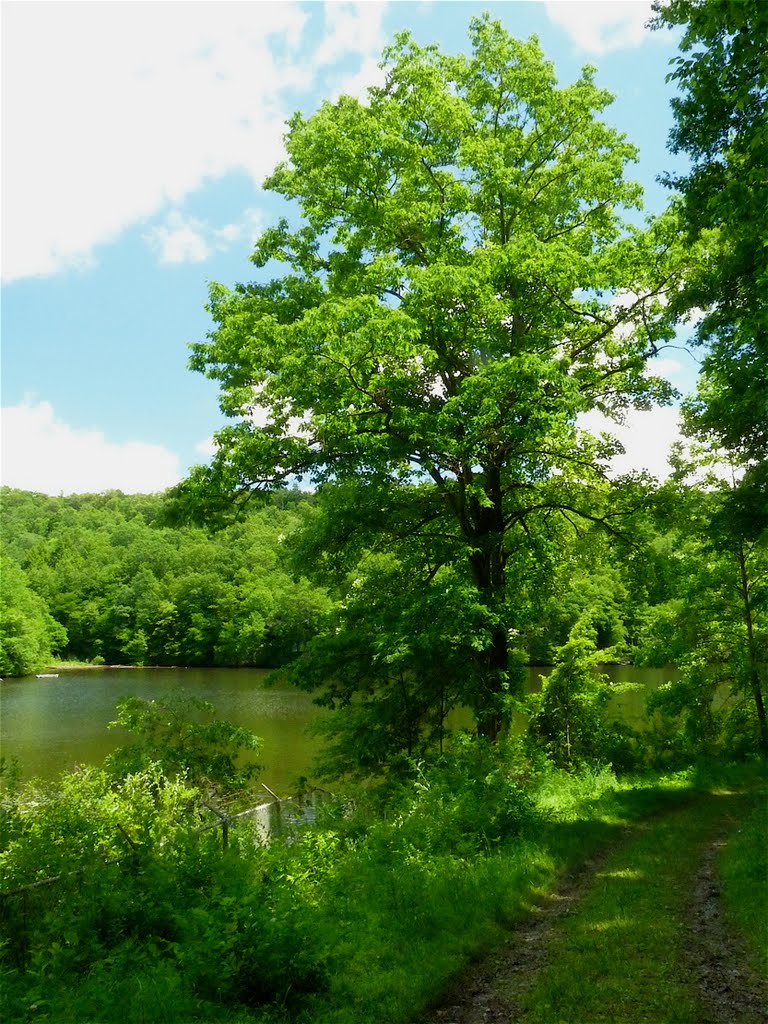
(156, 906)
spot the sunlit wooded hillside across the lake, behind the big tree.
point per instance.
(101, 578)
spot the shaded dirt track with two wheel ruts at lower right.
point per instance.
(712, 972)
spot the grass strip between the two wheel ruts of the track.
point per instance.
(621, 957)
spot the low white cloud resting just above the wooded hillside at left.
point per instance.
(41, 453)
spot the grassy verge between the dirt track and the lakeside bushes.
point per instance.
(411, 928)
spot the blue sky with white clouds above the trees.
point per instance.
(136, 140)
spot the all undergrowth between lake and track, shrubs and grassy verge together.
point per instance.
(366, 916)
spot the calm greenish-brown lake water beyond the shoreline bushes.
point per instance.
(53, 724)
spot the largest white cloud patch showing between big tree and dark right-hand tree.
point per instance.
(647, 437)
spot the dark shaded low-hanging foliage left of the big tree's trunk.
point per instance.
(399, 655)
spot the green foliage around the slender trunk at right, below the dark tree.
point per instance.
(713, 626)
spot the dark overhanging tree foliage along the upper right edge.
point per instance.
(721, 118)
